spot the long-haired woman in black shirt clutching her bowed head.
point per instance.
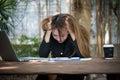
(64, 37)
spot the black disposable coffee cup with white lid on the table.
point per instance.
(108, 50)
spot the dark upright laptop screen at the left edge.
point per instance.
(6, 49)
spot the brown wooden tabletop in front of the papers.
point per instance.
(94, 66)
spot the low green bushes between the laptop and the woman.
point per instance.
(27, 47)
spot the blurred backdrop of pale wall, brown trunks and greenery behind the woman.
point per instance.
(21, 19)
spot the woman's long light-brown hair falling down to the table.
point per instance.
(81, 33)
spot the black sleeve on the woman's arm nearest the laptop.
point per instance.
(44, 49)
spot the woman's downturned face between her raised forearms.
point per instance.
(61, 35)
